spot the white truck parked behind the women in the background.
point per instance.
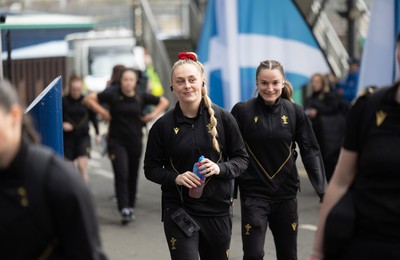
(93, 54)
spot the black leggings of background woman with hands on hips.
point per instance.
(125, 162)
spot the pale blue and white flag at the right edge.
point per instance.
(378, 62)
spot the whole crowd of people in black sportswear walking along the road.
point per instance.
(343, 147)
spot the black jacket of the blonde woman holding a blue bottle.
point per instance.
(175, 144)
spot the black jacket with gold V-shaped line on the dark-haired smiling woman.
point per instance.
(272, 172)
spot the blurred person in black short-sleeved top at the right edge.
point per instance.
(368, 167)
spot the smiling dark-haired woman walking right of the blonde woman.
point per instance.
(271, 126)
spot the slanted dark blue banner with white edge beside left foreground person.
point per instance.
(46, 112)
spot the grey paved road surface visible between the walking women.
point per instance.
(144, 238)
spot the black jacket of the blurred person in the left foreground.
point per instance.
(67, 212)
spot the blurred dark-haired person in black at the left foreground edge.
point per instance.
(46, 208)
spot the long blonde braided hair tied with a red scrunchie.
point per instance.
(191, 58)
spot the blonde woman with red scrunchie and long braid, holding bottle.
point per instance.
(195, 127)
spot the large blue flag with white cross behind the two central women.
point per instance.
(238, 34)
